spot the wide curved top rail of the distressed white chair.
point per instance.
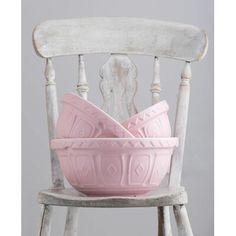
(119, 35)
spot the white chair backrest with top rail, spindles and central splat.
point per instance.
(119, 37)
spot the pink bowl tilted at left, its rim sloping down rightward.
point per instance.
(81, 119)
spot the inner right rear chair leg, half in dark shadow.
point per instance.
(164, 226)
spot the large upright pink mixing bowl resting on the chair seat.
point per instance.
(114, 166)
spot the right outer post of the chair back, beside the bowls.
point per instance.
(180, 126)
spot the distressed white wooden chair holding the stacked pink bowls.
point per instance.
(119, 36)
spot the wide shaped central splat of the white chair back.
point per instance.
(118, 86)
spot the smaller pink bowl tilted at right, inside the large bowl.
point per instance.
(152, 122)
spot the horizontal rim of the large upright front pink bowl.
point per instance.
(164, 142)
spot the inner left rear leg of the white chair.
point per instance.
(71, 226)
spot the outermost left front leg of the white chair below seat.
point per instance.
(45, 221)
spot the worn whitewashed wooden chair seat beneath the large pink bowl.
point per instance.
(69, 197)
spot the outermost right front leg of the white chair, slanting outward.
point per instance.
(182, 220)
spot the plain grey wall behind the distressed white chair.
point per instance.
(198, 165)
